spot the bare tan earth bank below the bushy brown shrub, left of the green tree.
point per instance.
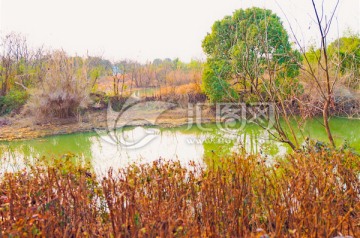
(24, 128)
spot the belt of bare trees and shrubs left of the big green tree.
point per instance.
(52, 82)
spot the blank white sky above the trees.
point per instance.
(148, 29)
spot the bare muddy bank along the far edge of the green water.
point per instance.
(20, 127)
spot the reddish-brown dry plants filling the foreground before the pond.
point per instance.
(305, 195)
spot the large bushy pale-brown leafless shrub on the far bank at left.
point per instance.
(64, 89)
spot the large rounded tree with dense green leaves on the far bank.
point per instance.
(252, 46)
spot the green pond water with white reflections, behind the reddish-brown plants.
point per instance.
(196, 143)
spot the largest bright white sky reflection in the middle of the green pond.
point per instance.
(169, 145)
